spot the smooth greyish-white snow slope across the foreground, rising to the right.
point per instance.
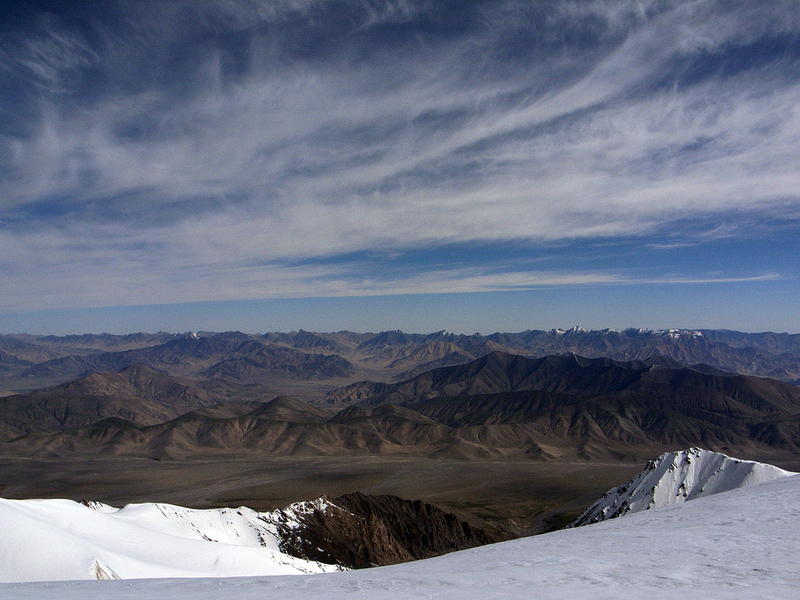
(743, 544)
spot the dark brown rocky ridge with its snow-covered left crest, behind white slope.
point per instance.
(351, 531)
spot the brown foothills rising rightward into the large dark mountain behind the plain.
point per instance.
(562, 406)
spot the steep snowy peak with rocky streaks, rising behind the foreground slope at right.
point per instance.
(676, 477)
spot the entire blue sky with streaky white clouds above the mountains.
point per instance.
(355, 164)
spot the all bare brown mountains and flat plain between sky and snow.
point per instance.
(207, 404)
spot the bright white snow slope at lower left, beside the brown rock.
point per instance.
(44, 540)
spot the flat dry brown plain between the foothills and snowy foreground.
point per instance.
(508, 496)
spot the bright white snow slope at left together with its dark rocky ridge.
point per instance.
(91, 540)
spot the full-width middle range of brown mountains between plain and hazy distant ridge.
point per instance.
(497, 406)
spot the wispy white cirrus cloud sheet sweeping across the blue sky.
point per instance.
(297, 159)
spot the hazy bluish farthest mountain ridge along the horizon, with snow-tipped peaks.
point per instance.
(28, 362)
